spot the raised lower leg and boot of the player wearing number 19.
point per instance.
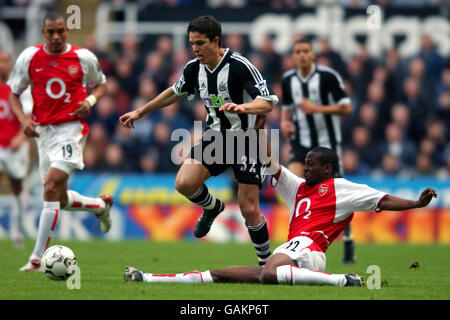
(101, 206)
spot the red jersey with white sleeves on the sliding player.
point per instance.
(322, 211)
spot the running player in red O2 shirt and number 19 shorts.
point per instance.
(58, 73)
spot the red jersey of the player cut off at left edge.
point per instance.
(9, 124)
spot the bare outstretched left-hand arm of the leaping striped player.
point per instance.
(164, 99)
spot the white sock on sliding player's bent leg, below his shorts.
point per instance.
(289, 274)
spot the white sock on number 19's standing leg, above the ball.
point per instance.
(47, 224)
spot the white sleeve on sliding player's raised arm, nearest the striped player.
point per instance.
(287, 185)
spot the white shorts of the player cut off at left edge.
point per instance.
(15, 164)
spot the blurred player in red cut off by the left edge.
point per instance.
(14, 152)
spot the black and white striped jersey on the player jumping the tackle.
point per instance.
(234, 79)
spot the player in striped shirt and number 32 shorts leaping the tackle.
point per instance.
(234, 94)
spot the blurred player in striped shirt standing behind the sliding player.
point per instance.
(313, 100)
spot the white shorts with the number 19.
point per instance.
(61, 147)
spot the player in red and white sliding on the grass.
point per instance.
(320, 206)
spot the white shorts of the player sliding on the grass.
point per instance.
(303, 251)
